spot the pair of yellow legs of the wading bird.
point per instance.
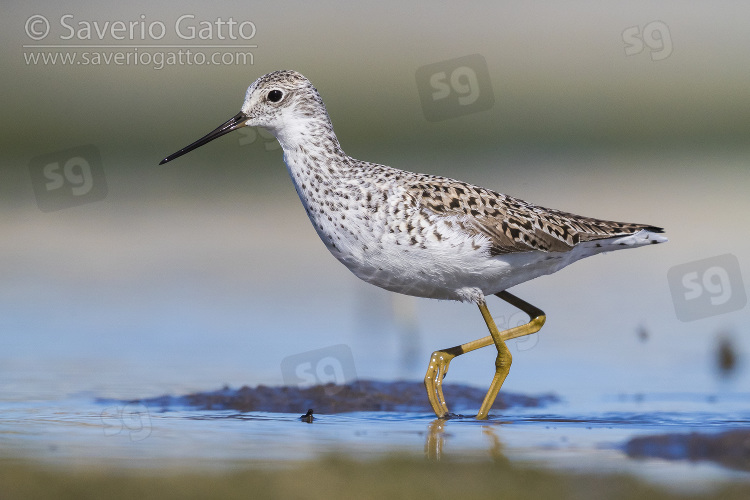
(440, 360)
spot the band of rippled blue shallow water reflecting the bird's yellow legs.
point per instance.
(586, 436)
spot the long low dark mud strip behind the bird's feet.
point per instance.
(364, 395)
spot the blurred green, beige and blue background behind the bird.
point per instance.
(206, 271)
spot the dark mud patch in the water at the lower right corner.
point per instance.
(730, 448)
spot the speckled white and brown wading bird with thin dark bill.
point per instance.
(417, 234)
